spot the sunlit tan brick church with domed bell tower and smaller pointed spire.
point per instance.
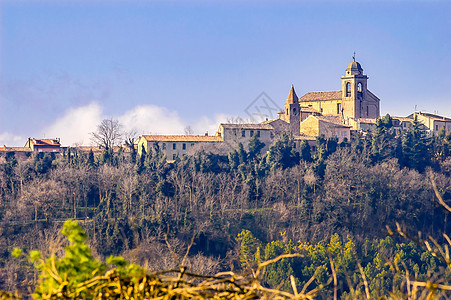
(331, 113)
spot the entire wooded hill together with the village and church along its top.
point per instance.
(328, 182)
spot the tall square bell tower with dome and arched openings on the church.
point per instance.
(354, 92)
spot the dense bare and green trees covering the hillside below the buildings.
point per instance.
(331, 205)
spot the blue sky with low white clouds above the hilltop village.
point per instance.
(159, 66)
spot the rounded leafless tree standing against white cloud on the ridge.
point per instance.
(108, 134)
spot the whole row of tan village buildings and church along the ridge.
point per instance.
(328, 113)
